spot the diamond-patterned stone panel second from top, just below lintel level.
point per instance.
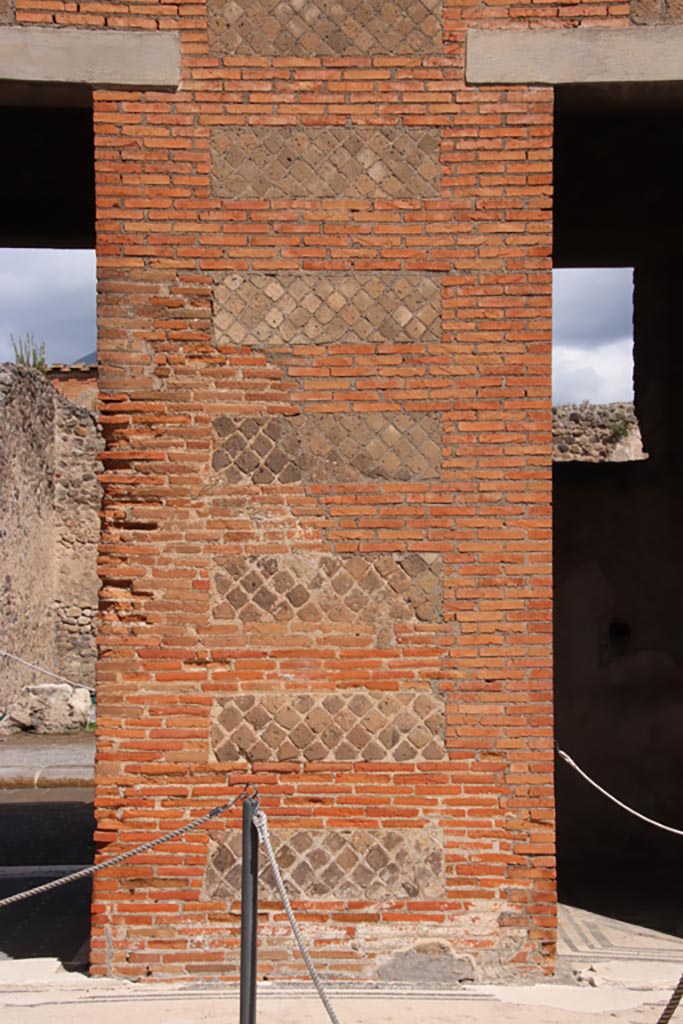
(272, 162)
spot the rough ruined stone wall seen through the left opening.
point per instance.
(50, 517)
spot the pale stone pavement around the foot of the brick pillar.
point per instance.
(608, 972)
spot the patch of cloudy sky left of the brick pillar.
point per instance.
(51, 294)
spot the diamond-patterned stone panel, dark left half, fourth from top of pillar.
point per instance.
(341, 449)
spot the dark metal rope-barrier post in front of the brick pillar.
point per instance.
(249, 913)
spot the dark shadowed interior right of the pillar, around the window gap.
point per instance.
(618, 536)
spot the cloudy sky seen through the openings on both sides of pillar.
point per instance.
(52, 294)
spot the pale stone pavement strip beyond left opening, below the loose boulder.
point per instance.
(48, 762)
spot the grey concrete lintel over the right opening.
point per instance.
(565, 57)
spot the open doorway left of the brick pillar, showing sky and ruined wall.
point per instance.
(48, 238)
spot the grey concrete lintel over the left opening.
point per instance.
(94, 58)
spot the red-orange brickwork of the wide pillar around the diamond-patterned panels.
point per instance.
(174, 654)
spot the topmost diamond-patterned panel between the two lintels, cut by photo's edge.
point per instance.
(324, 28)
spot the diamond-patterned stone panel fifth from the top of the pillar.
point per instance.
(314, 588)
